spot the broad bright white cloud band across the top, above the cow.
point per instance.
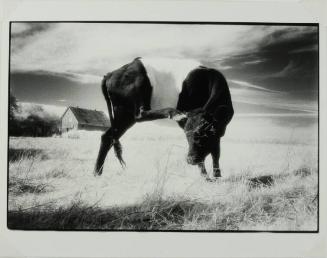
(95, 49)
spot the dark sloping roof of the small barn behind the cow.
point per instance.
(90, 117)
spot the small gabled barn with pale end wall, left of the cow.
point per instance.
(83, 119)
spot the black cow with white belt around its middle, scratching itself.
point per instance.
(146, 89)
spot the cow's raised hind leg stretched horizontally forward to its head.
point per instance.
(151, 115)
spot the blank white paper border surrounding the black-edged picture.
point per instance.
(162, 244)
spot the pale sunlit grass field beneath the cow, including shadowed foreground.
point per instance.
(269, 181)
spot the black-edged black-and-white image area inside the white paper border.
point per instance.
(163, 126)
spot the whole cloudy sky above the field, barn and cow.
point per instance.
(271, 70)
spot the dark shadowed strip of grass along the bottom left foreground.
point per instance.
(166, 215)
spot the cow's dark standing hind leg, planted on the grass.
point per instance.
(123, 121)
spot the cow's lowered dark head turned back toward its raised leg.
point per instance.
(200, 133)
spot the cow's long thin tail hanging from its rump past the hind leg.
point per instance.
(118, 149)
